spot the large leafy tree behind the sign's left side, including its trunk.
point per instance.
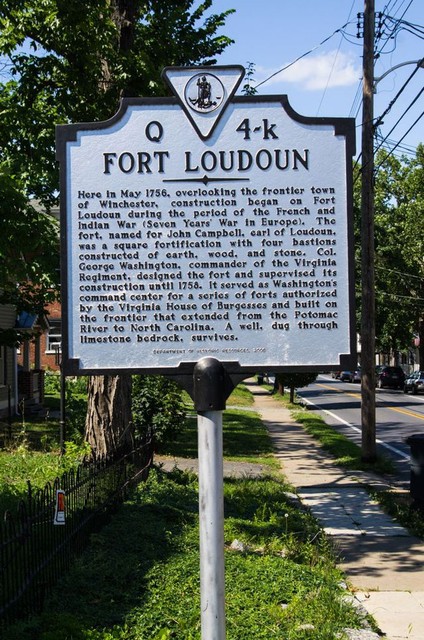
(71, 61)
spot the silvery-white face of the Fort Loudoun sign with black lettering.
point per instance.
(235, 246)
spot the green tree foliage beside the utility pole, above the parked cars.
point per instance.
(399, 251)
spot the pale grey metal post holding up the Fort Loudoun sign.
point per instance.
(211, 514)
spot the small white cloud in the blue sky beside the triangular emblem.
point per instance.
(313, 73)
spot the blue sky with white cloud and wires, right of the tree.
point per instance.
(326, 80)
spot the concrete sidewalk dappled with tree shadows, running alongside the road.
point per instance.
(382, 562)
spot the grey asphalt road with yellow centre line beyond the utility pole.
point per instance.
(397, 416)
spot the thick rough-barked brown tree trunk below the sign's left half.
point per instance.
(108, 424)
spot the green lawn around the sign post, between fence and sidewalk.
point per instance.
(139, 580)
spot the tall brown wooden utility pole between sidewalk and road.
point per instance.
(368, 421)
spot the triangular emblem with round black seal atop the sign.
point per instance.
(204, 92)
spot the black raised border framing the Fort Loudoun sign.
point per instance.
(68, 133)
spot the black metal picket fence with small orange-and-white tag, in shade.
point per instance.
(54, 524)
